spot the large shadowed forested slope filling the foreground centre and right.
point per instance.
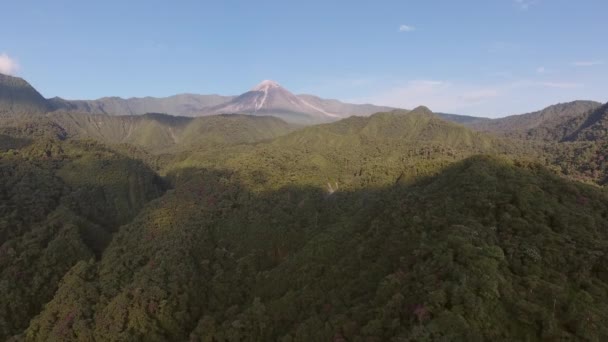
(485, 250)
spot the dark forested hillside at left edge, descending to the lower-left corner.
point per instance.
(60, 203)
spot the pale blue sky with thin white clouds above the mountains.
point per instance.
(478, 57)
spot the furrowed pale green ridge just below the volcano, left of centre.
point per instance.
(161, 133)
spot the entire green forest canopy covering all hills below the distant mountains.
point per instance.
(399, 226)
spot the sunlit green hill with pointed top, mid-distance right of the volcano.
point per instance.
(354, 153)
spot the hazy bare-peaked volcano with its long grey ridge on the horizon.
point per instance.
(267, 98)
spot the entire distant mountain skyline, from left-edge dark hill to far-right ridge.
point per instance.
(18, 97)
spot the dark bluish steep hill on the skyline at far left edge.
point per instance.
(17, 97)
